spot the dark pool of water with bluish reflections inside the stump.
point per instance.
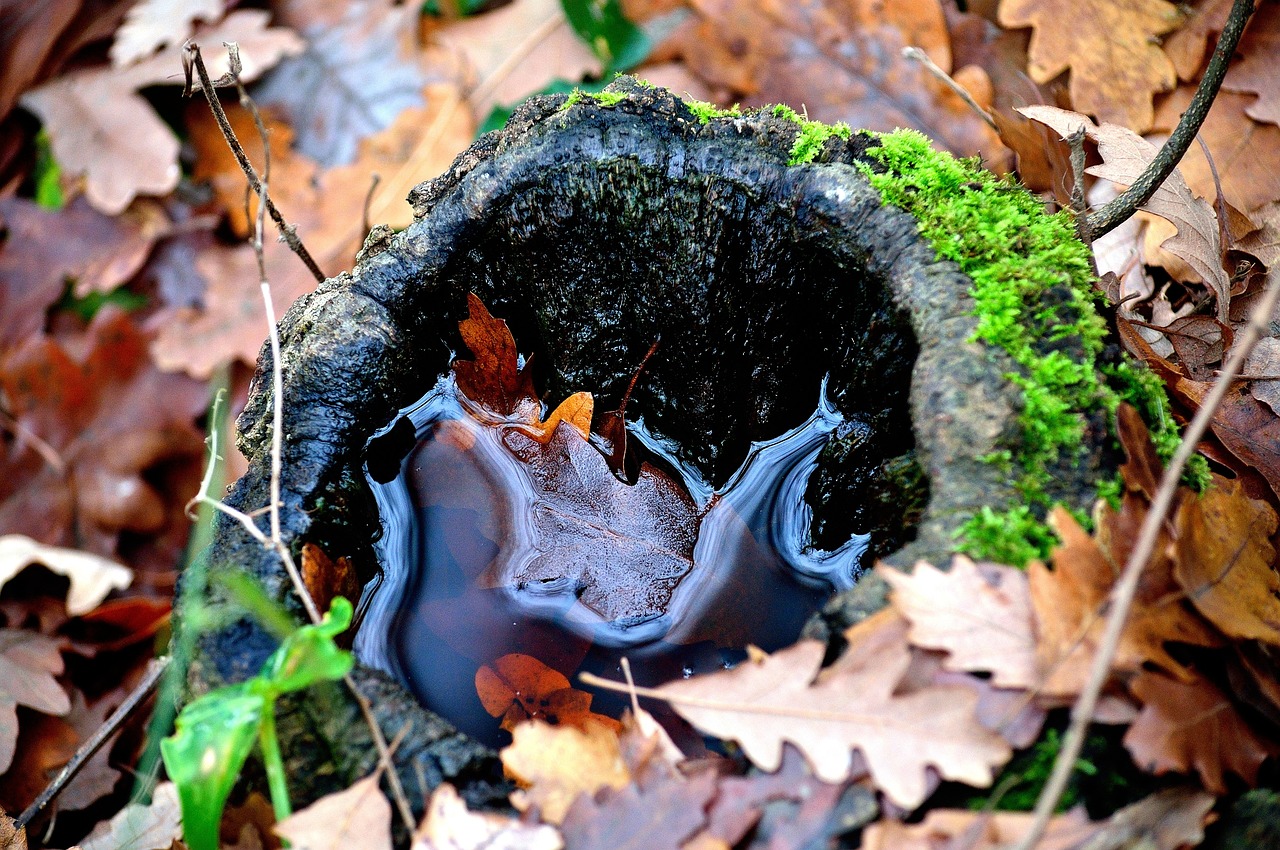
(456, 518)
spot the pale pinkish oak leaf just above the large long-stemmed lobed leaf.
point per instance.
(981, 615)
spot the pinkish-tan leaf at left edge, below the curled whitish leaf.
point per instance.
(29, 665)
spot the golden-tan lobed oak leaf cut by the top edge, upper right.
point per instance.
(1110, 48)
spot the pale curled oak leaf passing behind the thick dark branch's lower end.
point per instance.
(1126, 156)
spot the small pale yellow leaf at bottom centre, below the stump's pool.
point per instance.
(559, 764)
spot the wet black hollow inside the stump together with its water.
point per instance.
(756, 308)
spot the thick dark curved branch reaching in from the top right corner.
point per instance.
(1122, 208)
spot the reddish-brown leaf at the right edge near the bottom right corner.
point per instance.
(1194, 726)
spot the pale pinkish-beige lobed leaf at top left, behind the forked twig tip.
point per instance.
(100, 127)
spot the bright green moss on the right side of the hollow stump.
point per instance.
(1035, 300)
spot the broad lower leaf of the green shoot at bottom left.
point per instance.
(213, 738)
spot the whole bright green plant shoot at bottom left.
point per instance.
(216, 733)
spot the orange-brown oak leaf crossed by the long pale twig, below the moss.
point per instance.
(1069, 605)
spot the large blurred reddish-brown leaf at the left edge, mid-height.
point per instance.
(92, 399)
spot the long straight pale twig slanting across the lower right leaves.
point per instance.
(1123, 593)
